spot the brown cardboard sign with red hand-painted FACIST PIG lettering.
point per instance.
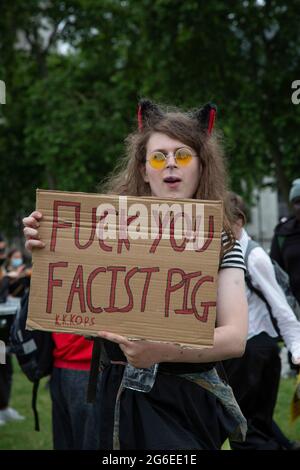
(127, 265)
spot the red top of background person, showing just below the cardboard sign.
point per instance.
(72, 351)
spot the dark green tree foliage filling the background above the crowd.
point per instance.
(75, 69)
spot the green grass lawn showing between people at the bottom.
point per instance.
(21, 435)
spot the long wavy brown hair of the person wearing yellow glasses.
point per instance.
(127, 178)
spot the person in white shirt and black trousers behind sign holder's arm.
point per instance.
(255, 376)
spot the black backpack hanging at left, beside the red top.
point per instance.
(34, 351)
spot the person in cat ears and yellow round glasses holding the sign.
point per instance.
(187, 405)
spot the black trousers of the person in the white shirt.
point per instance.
(255, 379)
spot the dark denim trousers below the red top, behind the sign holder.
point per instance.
(75, 422)
